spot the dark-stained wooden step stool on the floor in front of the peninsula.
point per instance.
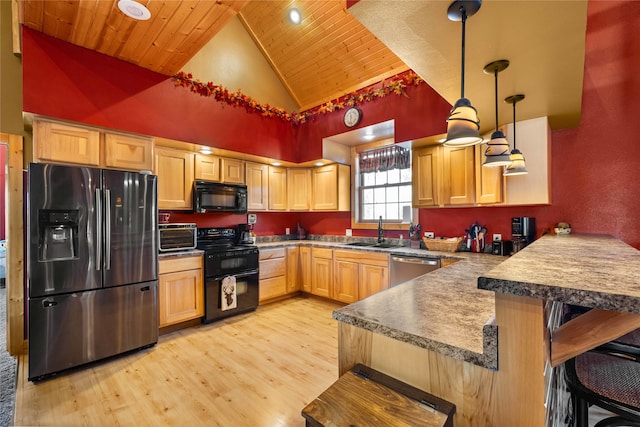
(366, 397)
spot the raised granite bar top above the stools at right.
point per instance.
(587, 270)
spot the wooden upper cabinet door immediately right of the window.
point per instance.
(426, 176)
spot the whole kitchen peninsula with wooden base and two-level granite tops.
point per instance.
(475, 332)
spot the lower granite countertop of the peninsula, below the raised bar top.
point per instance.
(442, 311)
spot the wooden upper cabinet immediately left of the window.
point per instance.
(331, 188)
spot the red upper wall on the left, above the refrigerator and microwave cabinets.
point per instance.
(68, 82)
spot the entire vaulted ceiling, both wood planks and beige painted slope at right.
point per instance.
(335, 51)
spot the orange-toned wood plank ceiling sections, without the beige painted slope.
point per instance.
(328, 54)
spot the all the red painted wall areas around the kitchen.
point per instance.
(594, 186)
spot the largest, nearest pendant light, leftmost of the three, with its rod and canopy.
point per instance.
(463, 123)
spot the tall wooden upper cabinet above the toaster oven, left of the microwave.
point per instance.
(175, 178)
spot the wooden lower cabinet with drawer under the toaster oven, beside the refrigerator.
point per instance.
(180, 290)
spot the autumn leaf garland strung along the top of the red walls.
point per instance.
(395, 85)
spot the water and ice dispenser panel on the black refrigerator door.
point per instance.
(58, 235)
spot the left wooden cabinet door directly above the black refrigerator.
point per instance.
(63, 143)
